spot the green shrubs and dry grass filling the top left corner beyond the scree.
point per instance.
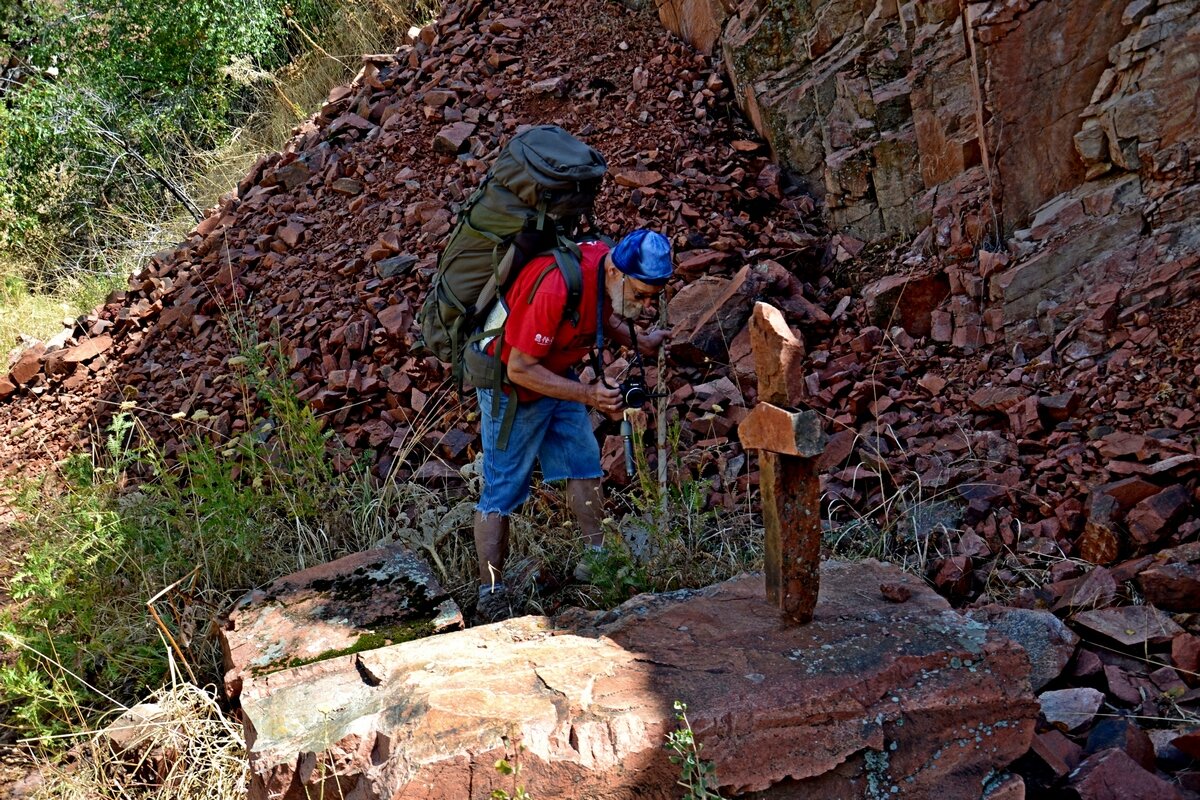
(123, 119)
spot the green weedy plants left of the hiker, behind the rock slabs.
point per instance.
(232, 515)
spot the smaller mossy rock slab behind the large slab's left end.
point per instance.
(359, 603)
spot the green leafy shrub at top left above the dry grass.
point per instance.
(116, 97)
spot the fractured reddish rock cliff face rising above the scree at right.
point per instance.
(1060, 136)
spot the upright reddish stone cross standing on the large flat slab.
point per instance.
(789, 443)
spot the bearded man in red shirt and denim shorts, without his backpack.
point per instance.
(551, 425)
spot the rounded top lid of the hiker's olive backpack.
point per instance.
(548, 159)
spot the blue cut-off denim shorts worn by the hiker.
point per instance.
(555, 434)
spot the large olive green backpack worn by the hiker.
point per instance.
(530, 203)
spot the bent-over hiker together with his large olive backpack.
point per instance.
(518, 305)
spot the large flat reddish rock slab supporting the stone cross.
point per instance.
(869, 696)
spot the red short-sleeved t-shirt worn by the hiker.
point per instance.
(539, 328)
